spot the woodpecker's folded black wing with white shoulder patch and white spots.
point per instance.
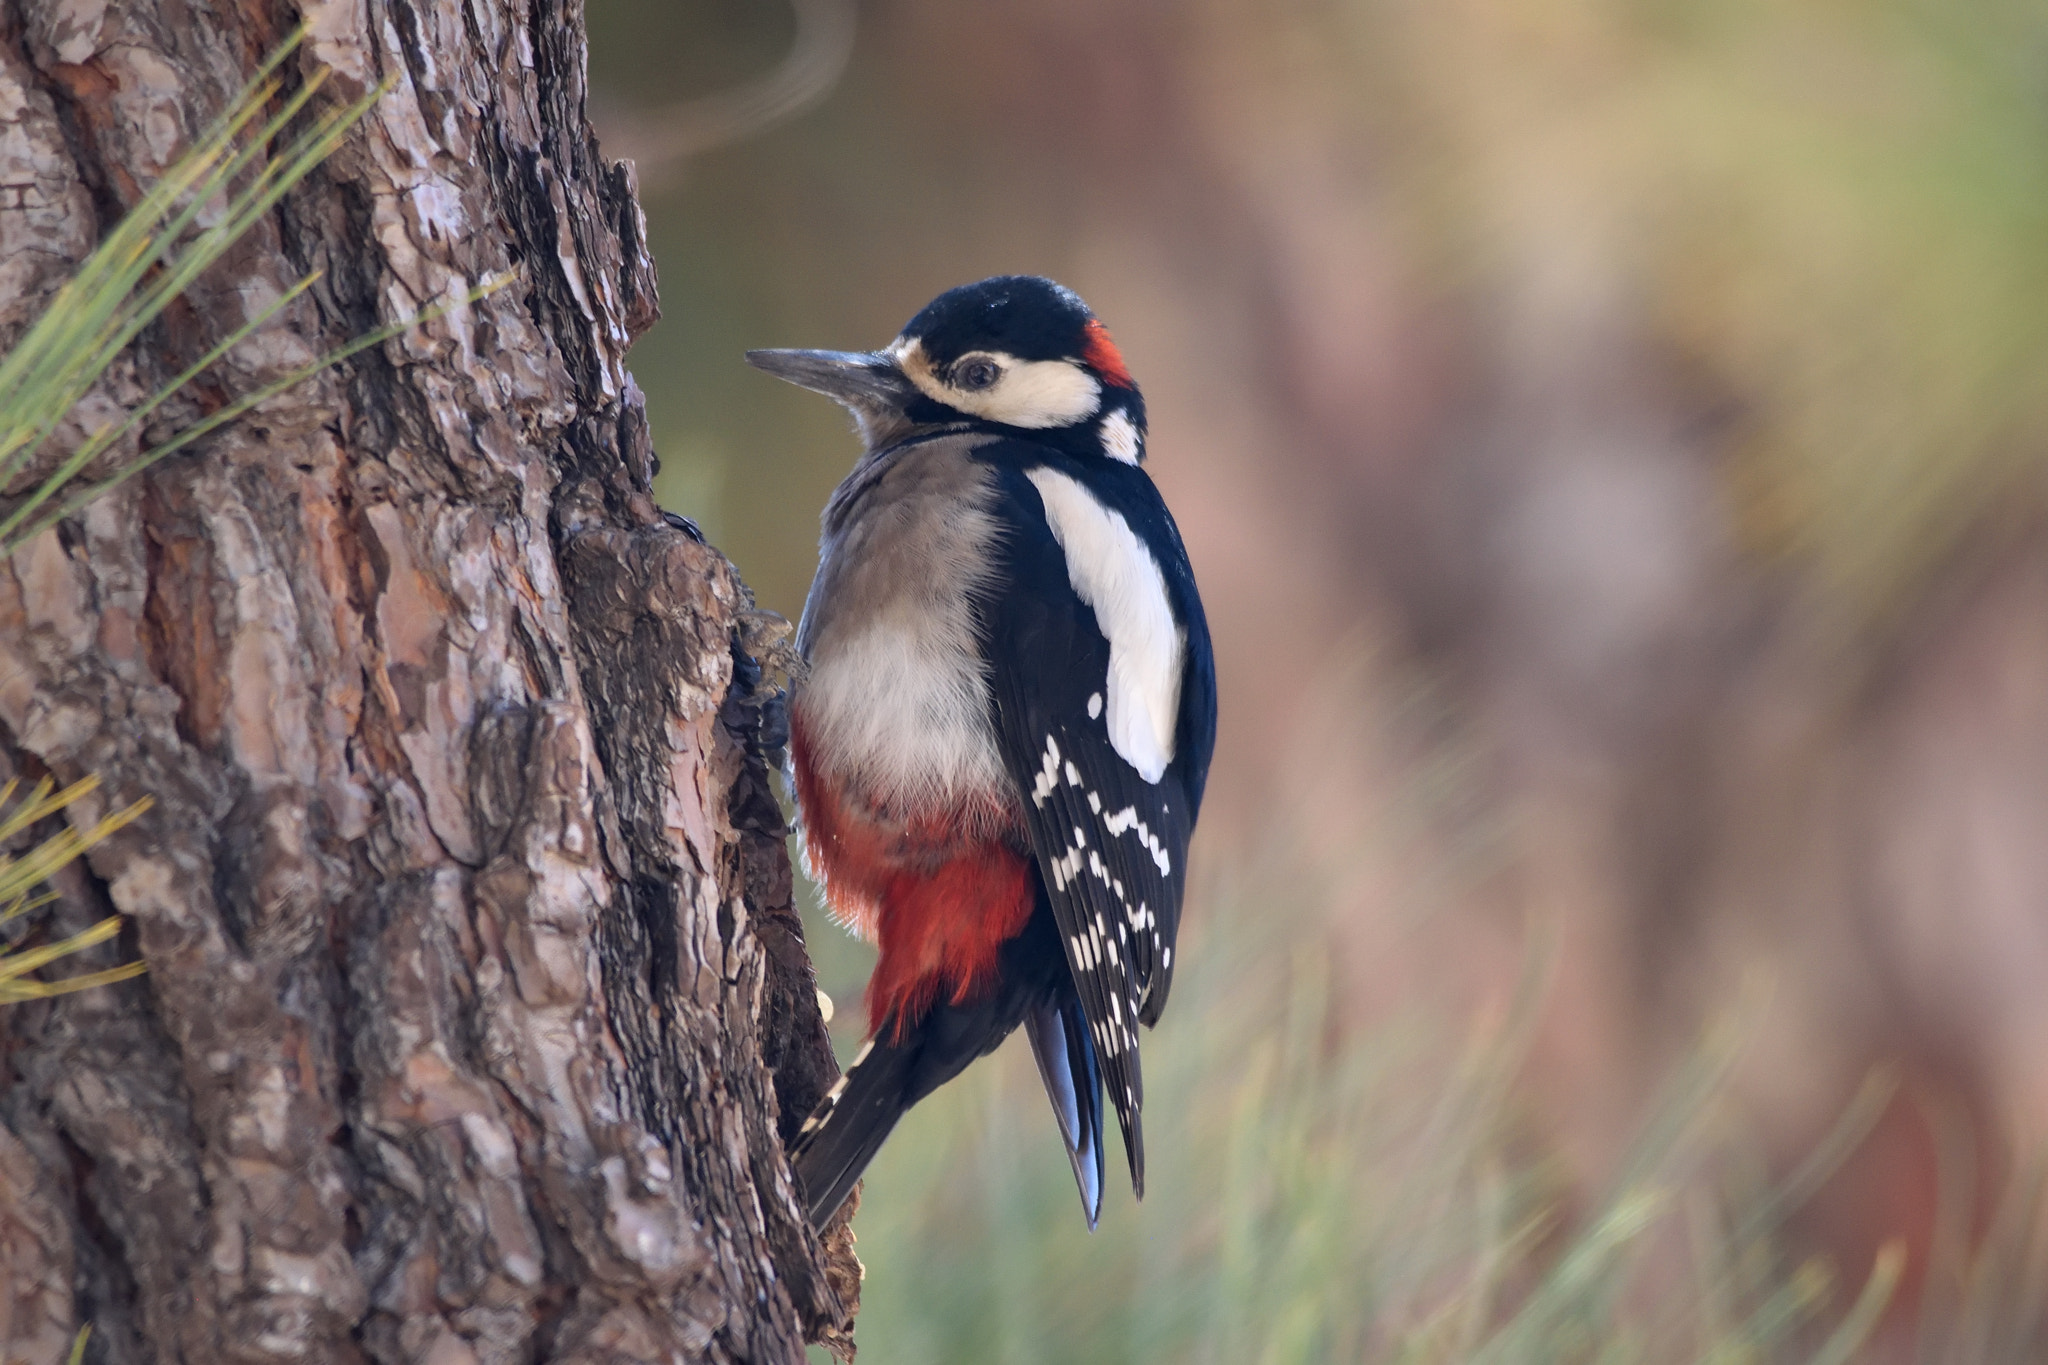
(1089, 662)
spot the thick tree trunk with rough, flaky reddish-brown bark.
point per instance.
(476, 996)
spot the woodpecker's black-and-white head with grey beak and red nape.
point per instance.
(1015, 353)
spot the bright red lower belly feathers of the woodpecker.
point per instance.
(939, 891)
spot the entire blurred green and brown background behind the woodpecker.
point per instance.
(1611, 439)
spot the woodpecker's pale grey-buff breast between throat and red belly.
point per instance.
(896, 701)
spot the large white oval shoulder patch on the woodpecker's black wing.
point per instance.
(1117, 576)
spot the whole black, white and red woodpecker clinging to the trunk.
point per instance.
(1005, 730)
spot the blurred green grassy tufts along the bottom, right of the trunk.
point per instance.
(1336, 1194)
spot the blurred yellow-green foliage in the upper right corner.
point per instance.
(1836, 212)
